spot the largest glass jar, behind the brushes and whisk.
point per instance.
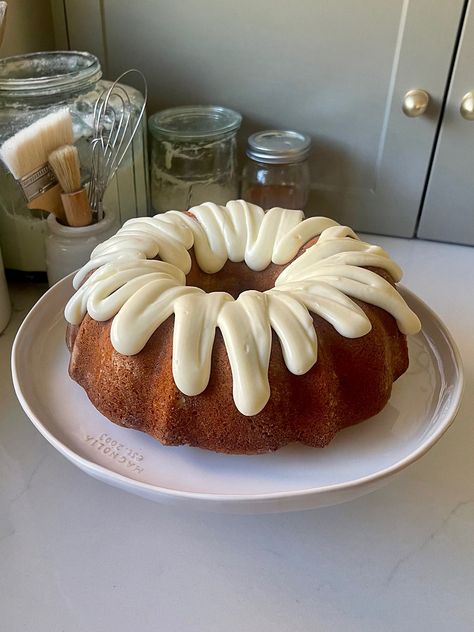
(32, 86)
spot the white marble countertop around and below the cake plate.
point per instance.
(76, 554)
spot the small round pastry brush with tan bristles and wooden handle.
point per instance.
(65, 164)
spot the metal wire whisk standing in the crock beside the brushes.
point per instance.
(115, 126)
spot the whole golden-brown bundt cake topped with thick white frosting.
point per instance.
(236, 330)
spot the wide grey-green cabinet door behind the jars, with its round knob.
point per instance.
(337, 70)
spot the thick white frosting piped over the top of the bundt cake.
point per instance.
(140, 292)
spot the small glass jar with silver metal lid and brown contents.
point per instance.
(277, 171)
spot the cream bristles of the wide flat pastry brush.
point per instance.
(29, 149)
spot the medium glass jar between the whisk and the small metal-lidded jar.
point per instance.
(193, 156)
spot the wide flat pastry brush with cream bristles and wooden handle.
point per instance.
(26, 155)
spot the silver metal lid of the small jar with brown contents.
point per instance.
(278, 146)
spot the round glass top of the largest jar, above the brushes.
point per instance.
(47, 73)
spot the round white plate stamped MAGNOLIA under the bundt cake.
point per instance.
(360, 459)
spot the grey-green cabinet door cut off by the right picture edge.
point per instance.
(448, 211)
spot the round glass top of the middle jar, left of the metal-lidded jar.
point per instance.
(194, 122)
